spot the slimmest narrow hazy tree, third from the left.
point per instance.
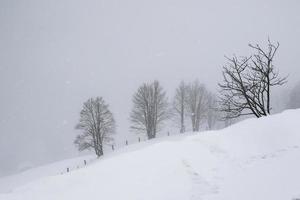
(179, 104)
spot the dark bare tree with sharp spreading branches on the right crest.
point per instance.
(247, 83)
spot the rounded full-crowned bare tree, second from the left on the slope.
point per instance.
(150, 109)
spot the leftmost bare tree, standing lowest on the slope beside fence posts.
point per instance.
(97, 124)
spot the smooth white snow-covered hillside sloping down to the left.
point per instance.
(257, 159)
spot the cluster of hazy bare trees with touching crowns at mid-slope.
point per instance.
(192, 102)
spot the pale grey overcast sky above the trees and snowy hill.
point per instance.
(55, 54)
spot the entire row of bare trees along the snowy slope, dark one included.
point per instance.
(245, 90)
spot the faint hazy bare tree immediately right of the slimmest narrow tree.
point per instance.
(196, 103)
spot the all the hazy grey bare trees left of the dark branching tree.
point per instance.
(150, 112)
